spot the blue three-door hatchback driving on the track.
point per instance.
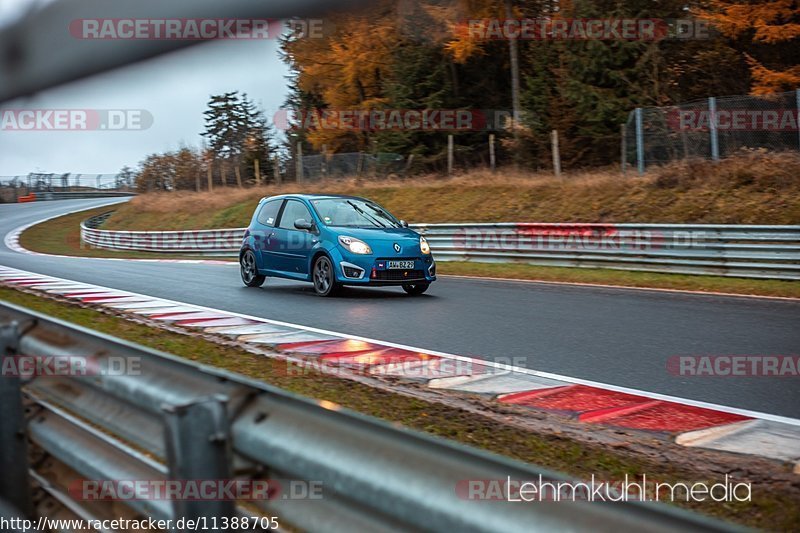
(333, 241)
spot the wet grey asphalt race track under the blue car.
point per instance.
(618, 336)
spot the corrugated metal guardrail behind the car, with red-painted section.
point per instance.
(771, 252)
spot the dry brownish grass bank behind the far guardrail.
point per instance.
(755, 188)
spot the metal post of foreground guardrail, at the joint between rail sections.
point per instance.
(198, 444)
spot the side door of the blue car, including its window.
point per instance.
(294, 246)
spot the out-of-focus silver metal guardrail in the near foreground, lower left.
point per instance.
(173, 419)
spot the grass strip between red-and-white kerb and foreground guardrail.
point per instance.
(770, 508)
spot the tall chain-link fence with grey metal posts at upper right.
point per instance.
(711, 128)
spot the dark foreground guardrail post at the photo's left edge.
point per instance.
(15, 483)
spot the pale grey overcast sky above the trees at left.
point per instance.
(174, 89)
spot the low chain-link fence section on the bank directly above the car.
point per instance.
(333, 166)
